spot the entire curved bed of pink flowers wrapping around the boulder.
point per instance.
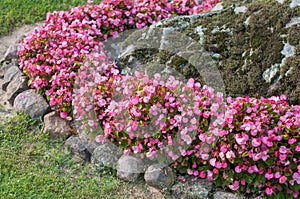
(250, 145)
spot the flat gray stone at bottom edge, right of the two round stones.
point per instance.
(192, 189)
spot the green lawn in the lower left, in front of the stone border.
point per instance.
(34, 166)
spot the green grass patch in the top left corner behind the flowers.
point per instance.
(14, 13)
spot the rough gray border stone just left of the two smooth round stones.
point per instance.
(106, 155)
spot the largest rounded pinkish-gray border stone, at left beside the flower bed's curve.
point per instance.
(31, 103)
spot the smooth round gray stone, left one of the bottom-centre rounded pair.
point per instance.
(129, 168)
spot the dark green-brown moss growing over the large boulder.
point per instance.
(244, 50)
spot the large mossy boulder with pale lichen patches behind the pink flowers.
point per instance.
(240, 48)
